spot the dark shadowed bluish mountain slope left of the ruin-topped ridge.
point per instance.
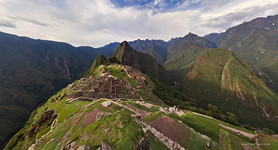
(32, 70)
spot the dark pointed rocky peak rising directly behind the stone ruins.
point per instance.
(141, 61)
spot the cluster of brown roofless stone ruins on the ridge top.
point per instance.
(107, 86)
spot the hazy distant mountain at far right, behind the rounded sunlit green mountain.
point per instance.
(256, 42)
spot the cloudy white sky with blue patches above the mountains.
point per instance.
(99, 22)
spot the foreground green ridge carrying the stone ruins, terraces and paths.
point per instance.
(115, 107)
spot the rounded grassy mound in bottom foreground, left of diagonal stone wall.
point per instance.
(124, 132)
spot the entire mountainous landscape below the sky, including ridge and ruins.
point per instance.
(218, 91)
